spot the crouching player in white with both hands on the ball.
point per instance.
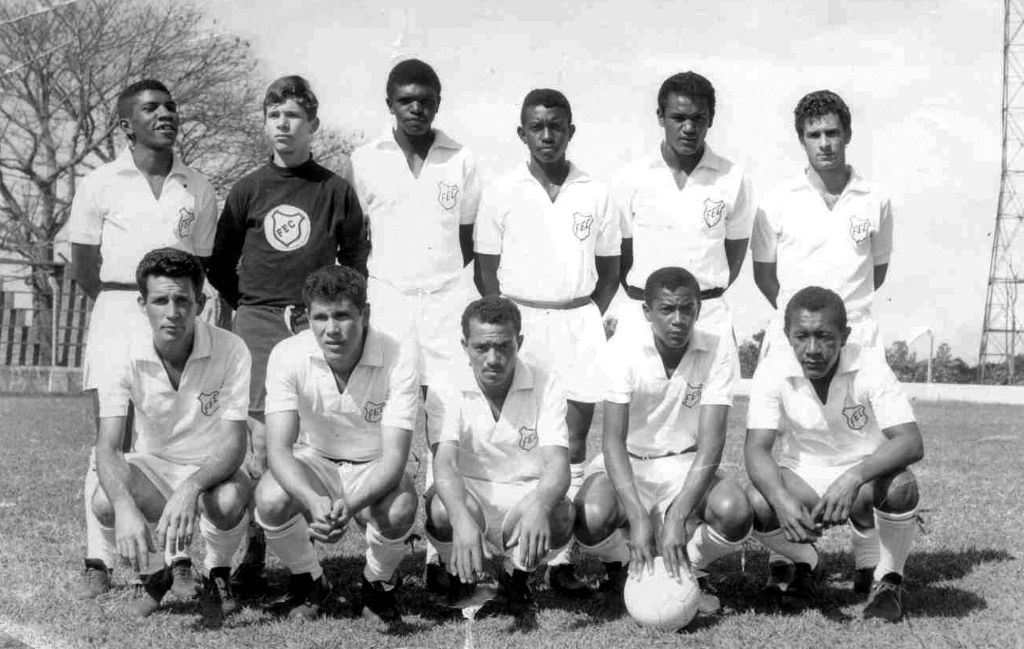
(665, 421)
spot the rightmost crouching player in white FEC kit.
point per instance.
(848, 438)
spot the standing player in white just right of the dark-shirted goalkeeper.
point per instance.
(419, 190)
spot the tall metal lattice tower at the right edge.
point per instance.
(1003, 330)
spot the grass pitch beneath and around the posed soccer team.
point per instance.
(965, 577)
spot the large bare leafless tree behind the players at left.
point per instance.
(62, 67)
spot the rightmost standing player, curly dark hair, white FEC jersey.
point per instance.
(826, 227)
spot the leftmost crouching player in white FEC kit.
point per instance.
(190, 384)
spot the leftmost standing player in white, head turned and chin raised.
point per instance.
(146, 199)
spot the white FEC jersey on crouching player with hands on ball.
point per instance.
(665, 412)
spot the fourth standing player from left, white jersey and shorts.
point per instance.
(548, 239)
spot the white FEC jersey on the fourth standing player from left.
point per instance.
(547, 248)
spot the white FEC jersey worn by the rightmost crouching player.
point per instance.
(864, 400)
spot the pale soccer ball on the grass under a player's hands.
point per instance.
(659, 601)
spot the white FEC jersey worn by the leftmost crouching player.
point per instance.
(181, 426)
